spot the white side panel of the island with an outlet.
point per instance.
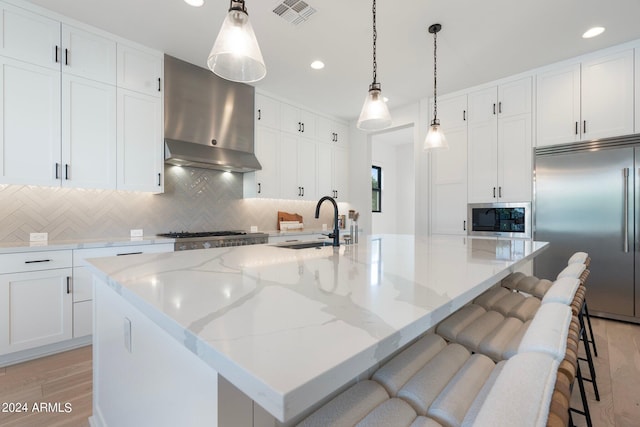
(142, 376)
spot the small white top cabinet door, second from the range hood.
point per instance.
(88, 55)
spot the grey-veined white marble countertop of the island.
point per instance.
(288, 327)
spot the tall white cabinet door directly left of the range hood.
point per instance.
(140, 146)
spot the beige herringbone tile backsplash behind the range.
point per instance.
(194, 200)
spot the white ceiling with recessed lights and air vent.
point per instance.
(480, 41)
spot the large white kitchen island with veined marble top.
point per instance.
(188, 338)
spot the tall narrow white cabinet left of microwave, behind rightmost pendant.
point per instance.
(449, 169)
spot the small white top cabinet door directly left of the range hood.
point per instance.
(139, 70)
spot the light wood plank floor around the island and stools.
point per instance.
(66, 377)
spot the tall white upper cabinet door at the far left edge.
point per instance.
(30, 124)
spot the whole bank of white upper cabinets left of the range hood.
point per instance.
(58, 112)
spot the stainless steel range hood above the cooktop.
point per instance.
(208, 120)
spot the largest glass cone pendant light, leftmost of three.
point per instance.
(236, 55)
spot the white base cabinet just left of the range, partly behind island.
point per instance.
(82, 284)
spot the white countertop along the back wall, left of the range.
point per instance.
(103, 242)
